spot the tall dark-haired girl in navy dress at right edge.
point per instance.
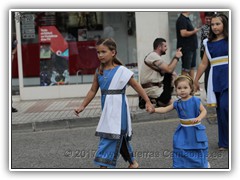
(216, 52)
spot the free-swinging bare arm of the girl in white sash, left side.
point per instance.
(90, 95)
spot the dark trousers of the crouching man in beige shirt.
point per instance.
(163, 98)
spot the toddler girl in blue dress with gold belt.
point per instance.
(190, 143)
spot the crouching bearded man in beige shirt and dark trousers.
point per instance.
(156, 74)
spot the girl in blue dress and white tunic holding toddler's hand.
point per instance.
(114, 127)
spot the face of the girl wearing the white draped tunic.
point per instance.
(104, 54)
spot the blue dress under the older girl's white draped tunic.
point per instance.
(109, 149)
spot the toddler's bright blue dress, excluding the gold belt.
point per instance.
(190, 143)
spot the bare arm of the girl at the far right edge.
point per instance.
(201, 69)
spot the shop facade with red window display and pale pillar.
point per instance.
(56, 55)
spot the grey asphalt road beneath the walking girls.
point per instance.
(75, 148)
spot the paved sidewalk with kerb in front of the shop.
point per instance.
(34, 115)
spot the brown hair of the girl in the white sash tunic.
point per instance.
(110, 43)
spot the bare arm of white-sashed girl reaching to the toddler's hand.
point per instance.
(136, 86)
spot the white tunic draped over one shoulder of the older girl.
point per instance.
(110, 120)
